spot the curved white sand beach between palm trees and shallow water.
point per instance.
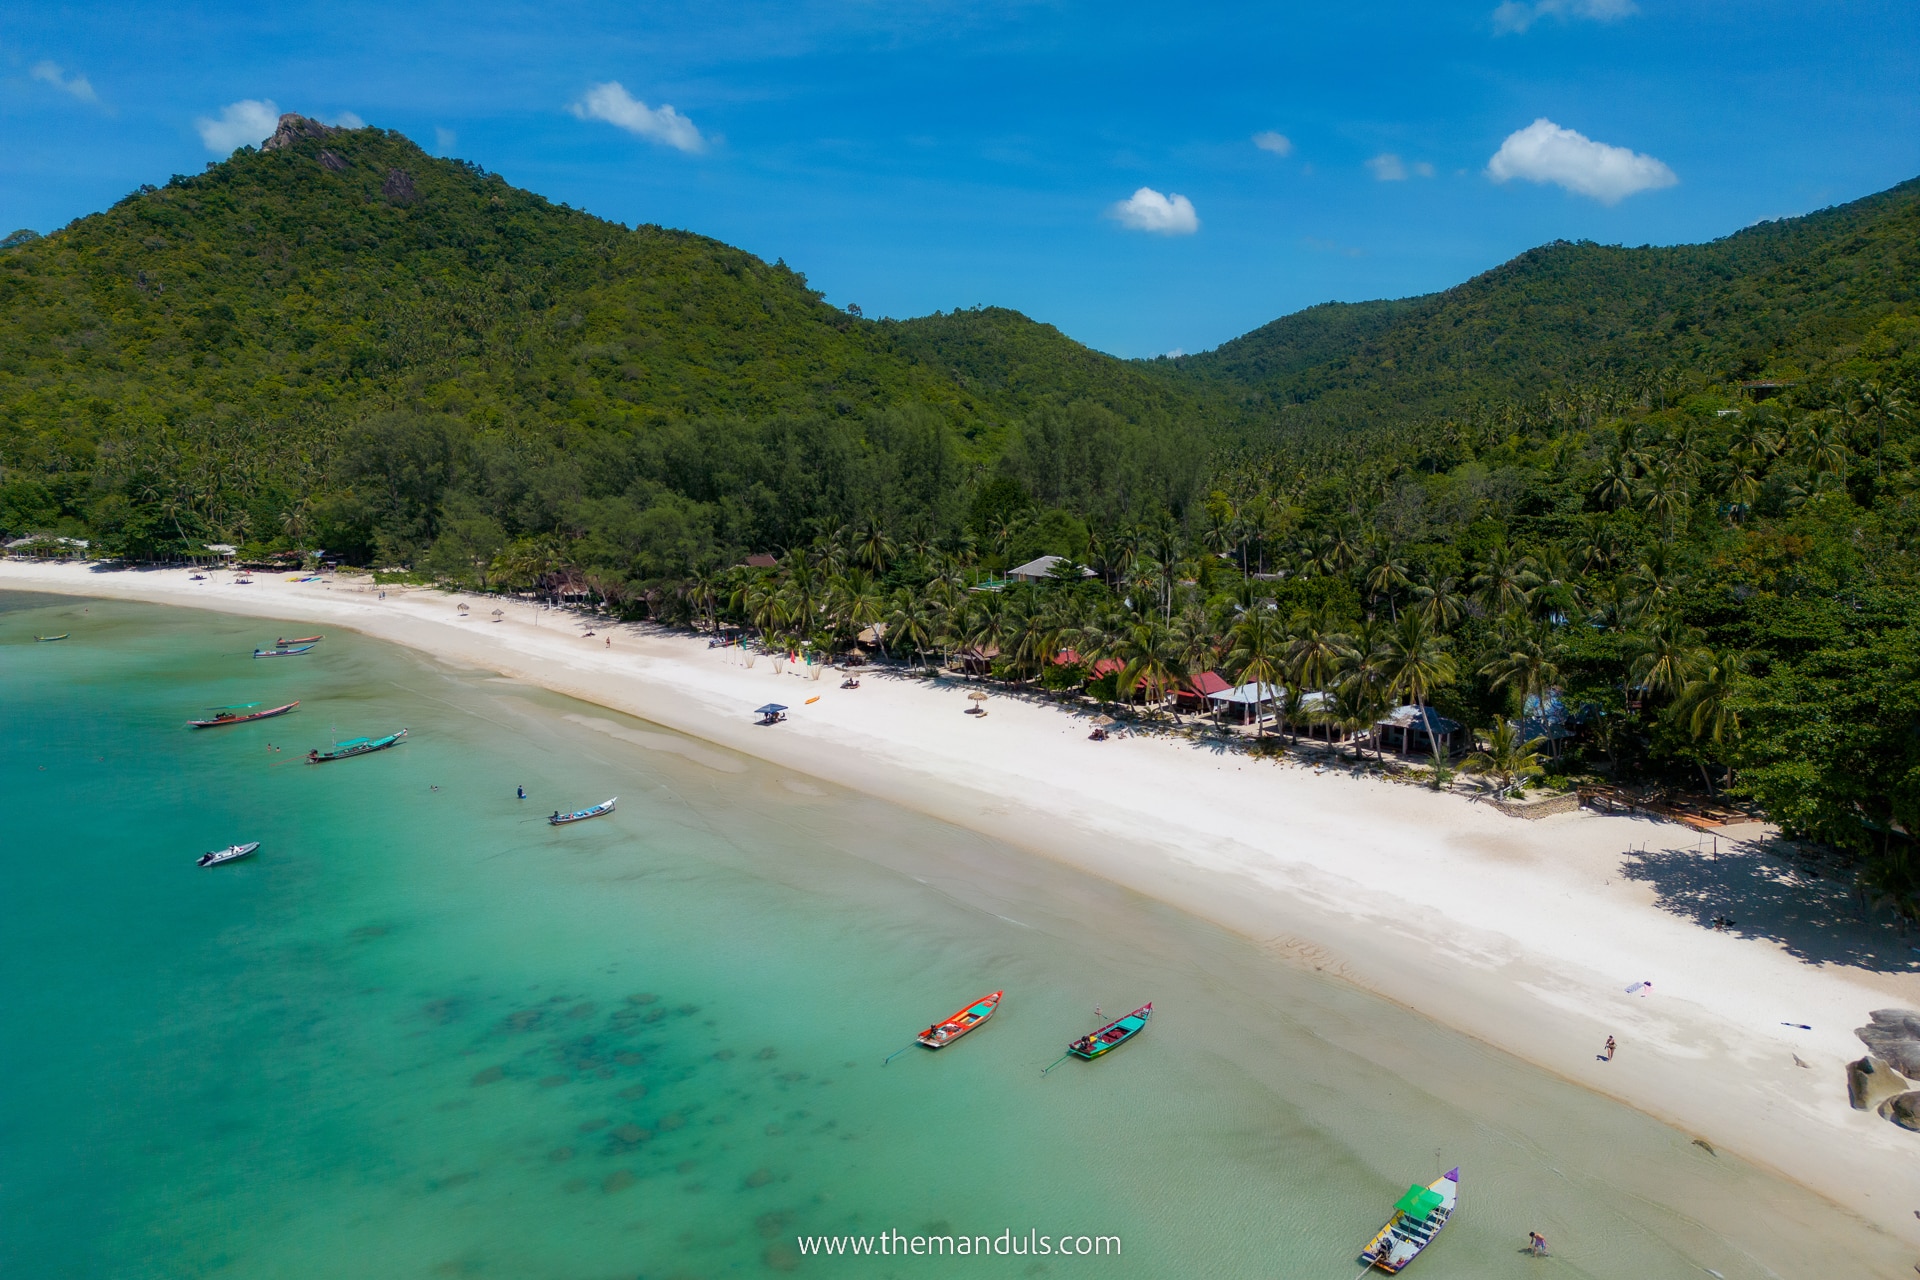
(1520, 934)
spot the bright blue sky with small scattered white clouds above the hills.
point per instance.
(1093, 166)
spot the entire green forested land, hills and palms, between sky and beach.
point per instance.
(1668, 490)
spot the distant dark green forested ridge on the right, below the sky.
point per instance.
(1775, 300)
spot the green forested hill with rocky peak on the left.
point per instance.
(343, 339)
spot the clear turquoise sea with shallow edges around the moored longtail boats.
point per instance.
(421, 1033)
